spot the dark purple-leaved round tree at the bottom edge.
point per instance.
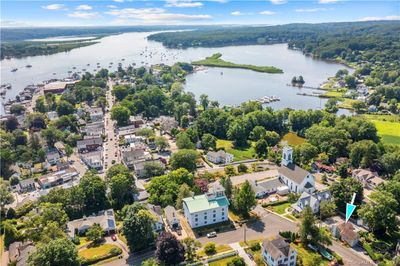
(169, 250)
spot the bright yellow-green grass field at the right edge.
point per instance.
(388, 127)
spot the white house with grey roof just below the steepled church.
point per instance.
(313, 200)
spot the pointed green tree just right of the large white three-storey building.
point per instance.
(245, 199)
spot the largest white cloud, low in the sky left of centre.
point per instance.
(152, 16)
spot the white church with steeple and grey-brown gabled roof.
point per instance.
(296, 178)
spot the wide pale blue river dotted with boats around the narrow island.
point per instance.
(228, 86)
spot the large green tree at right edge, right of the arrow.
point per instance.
(380, 214)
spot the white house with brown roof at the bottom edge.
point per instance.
(278, 252)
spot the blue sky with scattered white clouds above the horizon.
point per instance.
(21, 13)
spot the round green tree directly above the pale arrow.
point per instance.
(343, 191)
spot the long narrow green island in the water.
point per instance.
(216, 61)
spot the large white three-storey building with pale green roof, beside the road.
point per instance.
(206, 209)
